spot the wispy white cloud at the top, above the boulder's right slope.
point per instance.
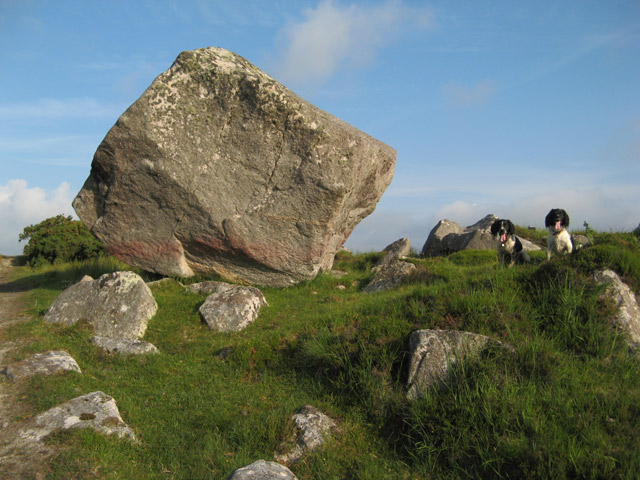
(334, 36)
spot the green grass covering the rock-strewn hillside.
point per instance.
(564, 404)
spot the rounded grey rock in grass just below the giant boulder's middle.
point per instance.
(232, 309)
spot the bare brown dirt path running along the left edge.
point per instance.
(25, 461)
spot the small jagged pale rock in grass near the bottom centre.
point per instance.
(312, 429)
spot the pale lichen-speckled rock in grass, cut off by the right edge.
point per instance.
(627, 318)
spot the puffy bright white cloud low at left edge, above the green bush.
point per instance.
(21, 206)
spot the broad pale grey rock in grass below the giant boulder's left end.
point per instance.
(117, 305)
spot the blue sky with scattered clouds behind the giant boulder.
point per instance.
(500, 107)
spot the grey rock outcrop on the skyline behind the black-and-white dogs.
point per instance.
(448, 237)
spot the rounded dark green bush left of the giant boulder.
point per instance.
(59, 239)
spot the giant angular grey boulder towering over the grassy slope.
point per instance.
(218, 168)
